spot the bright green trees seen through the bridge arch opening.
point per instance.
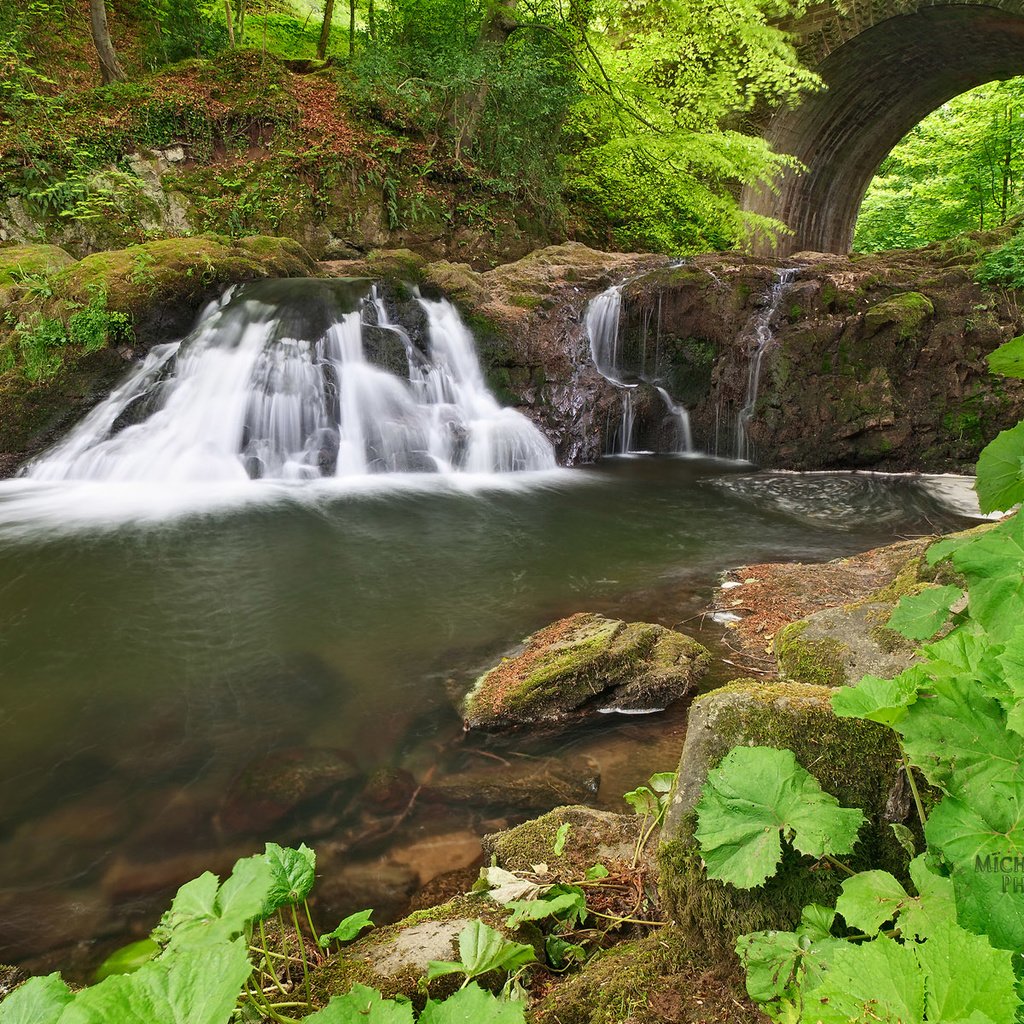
(959, 169)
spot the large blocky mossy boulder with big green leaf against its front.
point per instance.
(858, 762)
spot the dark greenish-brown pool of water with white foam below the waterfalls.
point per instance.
(157, 644)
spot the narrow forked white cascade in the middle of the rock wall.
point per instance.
(603, 322)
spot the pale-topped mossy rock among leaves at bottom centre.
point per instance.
(395, 959)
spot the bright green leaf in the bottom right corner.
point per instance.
(954, 994)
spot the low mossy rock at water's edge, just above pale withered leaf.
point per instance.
(594, 838)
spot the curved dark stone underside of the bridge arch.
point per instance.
(880, 86)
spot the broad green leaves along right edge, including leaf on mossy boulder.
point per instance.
(902, 954)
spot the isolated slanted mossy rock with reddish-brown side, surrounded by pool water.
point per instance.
(583, 665)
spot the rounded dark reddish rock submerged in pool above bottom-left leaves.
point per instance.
(278, 785)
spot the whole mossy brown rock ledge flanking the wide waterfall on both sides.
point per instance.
(822, 362)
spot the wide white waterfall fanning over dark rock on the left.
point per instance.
(277, 382)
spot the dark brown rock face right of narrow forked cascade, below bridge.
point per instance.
(871, 362)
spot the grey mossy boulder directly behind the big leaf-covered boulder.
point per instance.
(839, 647)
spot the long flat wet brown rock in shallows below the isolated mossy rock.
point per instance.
(526, 785)
